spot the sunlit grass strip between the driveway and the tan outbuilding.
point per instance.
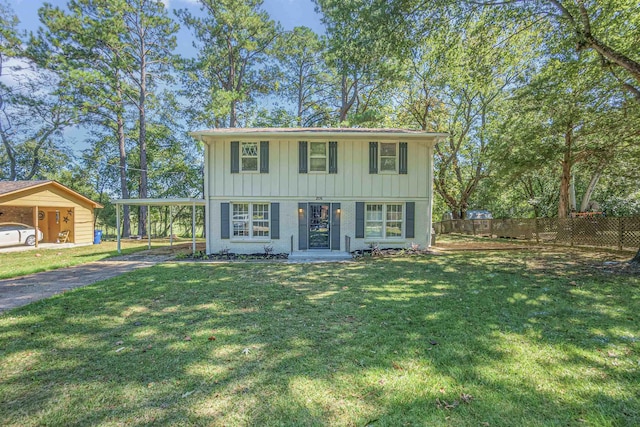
(14, 264)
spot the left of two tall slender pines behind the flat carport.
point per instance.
(83, 46)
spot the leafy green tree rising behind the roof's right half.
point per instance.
(363, 58)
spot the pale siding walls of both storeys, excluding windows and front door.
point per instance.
(285, 185)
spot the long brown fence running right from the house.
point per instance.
(620, 233)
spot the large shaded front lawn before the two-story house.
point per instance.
(468, 339)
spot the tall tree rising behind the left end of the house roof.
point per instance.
(233, 41)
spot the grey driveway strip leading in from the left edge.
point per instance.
(20, 291)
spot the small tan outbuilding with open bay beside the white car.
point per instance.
(50, 206)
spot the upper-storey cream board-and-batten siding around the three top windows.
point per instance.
(353, 180)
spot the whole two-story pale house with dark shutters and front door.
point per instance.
(304, 189)
